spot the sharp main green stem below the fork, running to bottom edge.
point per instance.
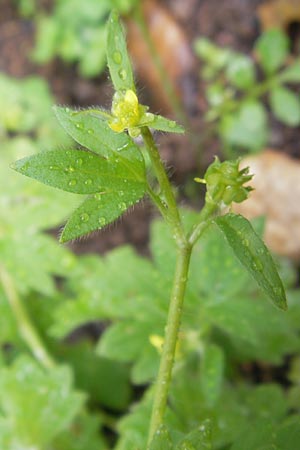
(172, 328)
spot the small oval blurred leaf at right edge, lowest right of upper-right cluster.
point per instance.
(285, 105)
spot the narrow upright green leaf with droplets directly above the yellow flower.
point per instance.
(117, 56)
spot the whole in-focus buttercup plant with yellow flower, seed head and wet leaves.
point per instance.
(111, 173)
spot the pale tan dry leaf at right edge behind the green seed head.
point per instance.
(277, 196)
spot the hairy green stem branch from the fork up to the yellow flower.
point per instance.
(171, 213)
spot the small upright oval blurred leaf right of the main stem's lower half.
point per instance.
(212, 369)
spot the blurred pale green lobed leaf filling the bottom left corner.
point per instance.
(35, 406)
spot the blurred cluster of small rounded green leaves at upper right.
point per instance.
(238, 85)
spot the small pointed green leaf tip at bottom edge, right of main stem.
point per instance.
(198, 439)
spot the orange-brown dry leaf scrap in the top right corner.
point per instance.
(278, 13)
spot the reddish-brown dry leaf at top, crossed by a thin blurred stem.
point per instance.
(171, 45)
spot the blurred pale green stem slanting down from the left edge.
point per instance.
(26, 328)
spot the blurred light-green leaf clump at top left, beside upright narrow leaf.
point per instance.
(74, 31)
